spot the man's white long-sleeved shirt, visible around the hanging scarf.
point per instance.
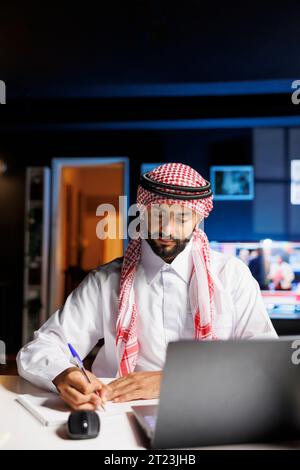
(164, 314)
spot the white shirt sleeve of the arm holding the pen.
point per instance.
(79, 322)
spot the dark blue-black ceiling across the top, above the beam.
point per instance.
(63, 48)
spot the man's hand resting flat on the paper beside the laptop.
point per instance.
(134, 386)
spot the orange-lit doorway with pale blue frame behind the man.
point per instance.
(79, 186)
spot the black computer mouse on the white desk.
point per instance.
(83, 425)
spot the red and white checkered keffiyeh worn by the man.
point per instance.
(201, 286)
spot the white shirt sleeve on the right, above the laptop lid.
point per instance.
(252, 319)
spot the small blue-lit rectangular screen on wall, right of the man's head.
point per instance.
(231, 183)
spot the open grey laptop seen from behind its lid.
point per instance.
(225, 392)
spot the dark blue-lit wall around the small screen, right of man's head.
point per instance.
(270, 214)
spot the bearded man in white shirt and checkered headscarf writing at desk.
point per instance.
(169, 286)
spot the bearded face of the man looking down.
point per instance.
(169, 228)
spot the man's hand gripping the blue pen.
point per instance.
(77, 392)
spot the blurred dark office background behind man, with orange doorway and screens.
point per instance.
(96, 96)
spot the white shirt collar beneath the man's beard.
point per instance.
(153, 264)
